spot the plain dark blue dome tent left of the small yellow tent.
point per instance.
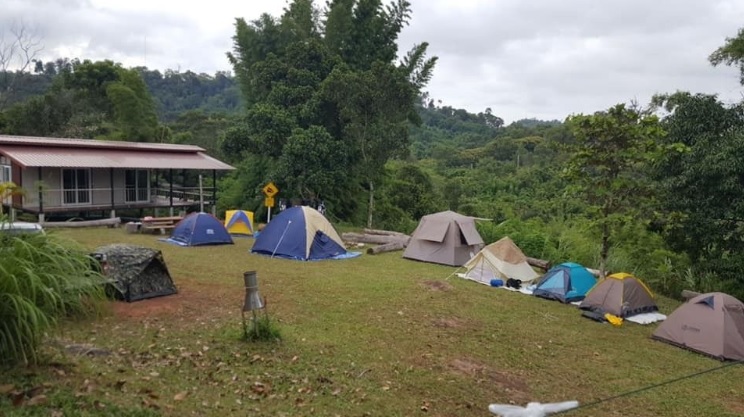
(199, 229)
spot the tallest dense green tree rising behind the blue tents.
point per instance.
(326, 99)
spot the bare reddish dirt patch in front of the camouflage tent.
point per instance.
(192, 300)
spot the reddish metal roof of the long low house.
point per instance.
(84, 153)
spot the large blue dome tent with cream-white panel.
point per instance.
(300, 233)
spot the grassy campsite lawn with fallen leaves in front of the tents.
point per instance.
(371, 336)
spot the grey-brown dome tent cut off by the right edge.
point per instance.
(712, 324)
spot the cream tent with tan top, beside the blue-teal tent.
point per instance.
(500, 260)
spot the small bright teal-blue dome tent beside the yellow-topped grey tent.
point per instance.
(567, 282)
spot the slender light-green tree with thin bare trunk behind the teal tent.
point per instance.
(607, 167)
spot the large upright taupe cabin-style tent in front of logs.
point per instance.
(446, 238)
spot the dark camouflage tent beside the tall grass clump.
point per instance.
(135, 272)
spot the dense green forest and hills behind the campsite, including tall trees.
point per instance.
(655, 189)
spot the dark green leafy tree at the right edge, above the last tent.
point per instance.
(702, 194)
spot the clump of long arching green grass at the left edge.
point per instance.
(42, 279)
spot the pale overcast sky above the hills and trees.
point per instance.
(542, 58)
